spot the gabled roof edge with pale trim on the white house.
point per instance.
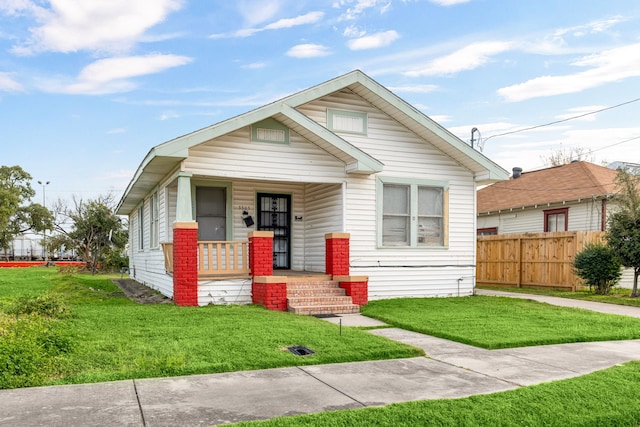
(163, 158)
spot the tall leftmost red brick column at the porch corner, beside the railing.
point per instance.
(185, 263)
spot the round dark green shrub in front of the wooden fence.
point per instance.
(598, 266)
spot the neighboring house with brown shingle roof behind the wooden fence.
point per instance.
(571, 197)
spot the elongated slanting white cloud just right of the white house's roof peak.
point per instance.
(468, 58)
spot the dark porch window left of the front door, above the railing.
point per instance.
(211, 213)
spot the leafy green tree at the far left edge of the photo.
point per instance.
(15, 216)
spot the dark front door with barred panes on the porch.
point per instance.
(275, 215)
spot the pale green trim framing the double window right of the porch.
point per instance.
(413, 215)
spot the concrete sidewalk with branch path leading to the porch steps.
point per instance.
(453, 370)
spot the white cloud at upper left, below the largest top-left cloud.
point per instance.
(111, 75)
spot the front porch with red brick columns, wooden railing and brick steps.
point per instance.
(332, 292)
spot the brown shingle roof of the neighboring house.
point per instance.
(577, 180)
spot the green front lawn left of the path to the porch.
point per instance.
(114, 338)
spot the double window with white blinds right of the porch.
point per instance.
(413, 214)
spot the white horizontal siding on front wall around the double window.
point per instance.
(404, 271)
